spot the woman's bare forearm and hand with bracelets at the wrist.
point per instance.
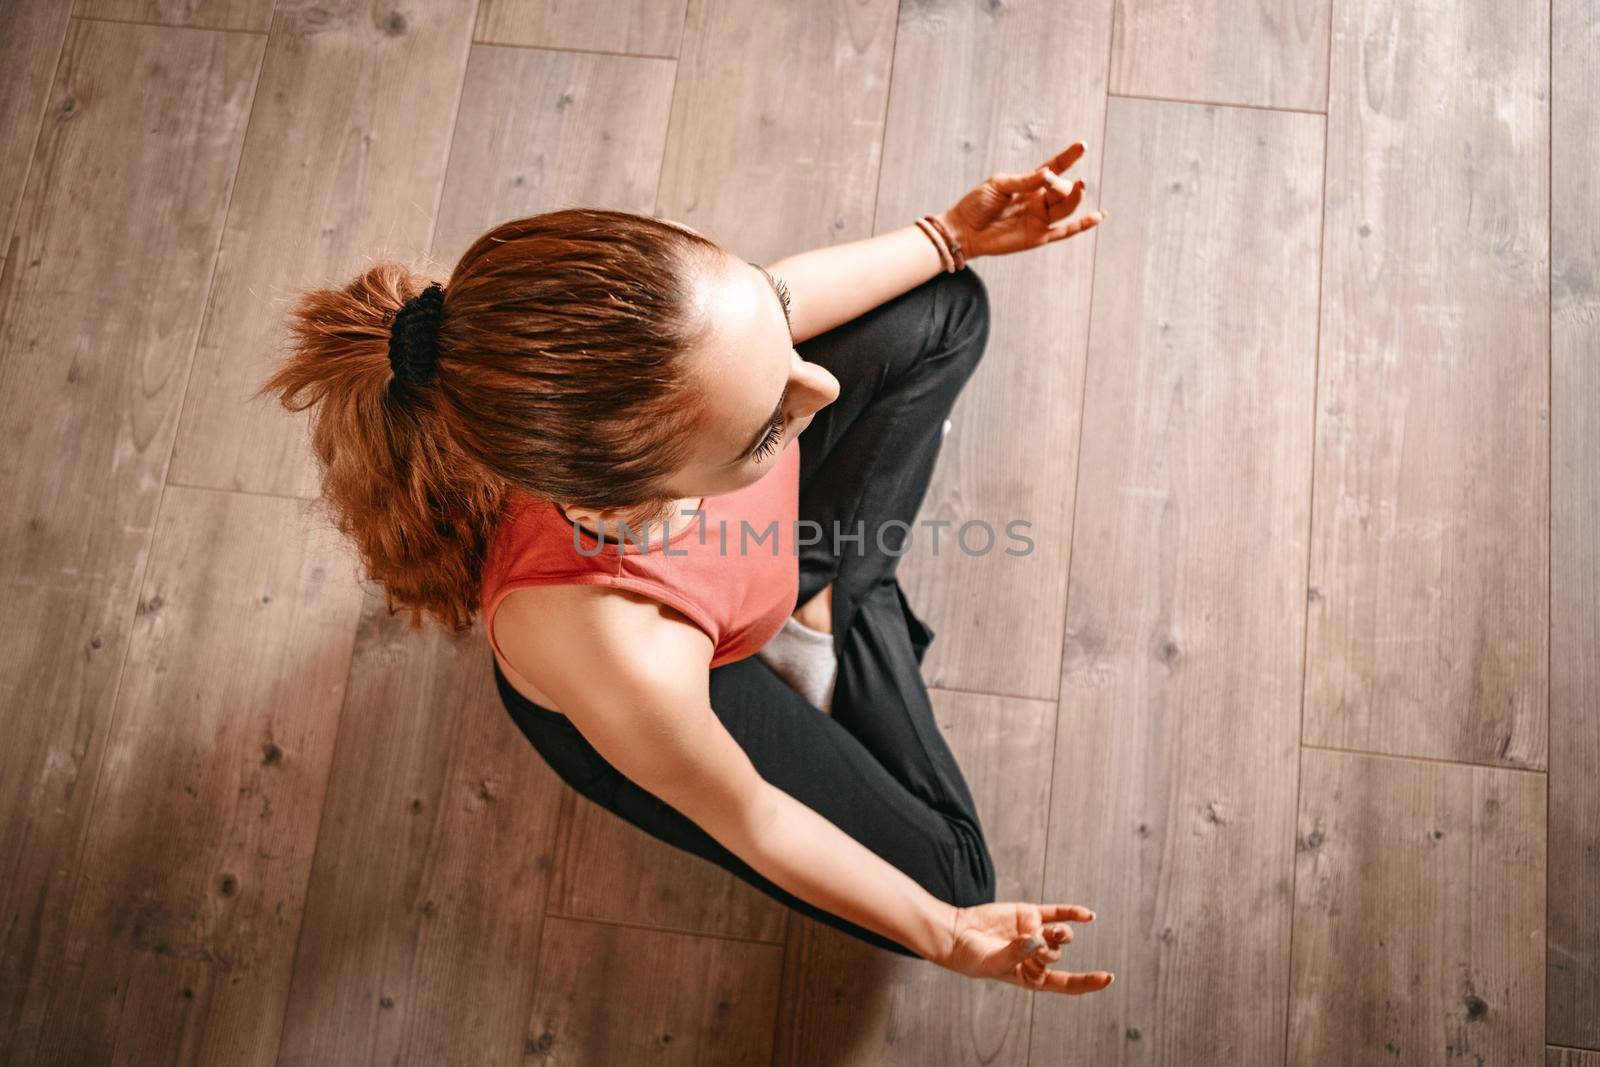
(1006, 214)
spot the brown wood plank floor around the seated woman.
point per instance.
(1300, 689)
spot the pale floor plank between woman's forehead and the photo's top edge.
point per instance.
(746, 164)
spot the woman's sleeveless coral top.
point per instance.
(732, 567)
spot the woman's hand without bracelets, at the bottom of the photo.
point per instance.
(1017, 943)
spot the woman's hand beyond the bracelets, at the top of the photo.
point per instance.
(1014, 212)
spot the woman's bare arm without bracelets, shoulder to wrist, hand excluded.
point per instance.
(650, 716)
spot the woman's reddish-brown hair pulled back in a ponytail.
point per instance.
(559, 375)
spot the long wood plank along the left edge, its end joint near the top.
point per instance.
(116, 242)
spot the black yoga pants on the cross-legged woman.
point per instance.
(878, 767)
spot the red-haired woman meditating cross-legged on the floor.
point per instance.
(590, 434)
